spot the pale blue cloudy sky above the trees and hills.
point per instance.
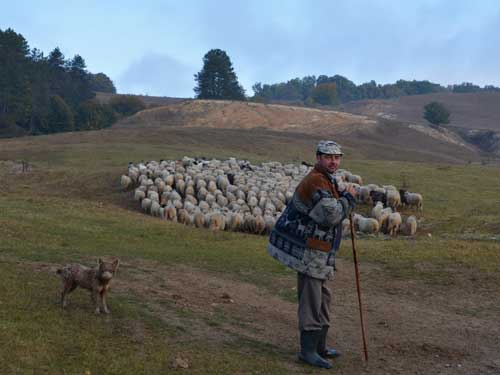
(155, 47)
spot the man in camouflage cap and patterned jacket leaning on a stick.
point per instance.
(306, 238)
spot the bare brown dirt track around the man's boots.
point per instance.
(412, 328)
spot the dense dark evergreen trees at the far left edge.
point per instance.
(48, 94)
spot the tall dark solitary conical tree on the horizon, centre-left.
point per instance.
(217, 79)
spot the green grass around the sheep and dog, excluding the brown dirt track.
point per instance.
(69, 208)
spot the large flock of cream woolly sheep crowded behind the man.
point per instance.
(235, 195)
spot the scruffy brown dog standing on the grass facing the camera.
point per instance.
(95, 279)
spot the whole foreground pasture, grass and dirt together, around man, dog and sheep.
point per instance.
(68, 208)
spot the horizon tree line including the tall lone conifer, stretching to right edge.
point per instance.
(217, 80)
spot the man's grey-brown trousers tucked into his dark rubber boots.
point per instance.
(314, 303)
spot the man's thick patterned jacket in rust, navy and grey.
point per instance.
(302, 242)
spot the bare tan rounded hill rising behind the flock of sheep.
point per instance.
(364, 137)
